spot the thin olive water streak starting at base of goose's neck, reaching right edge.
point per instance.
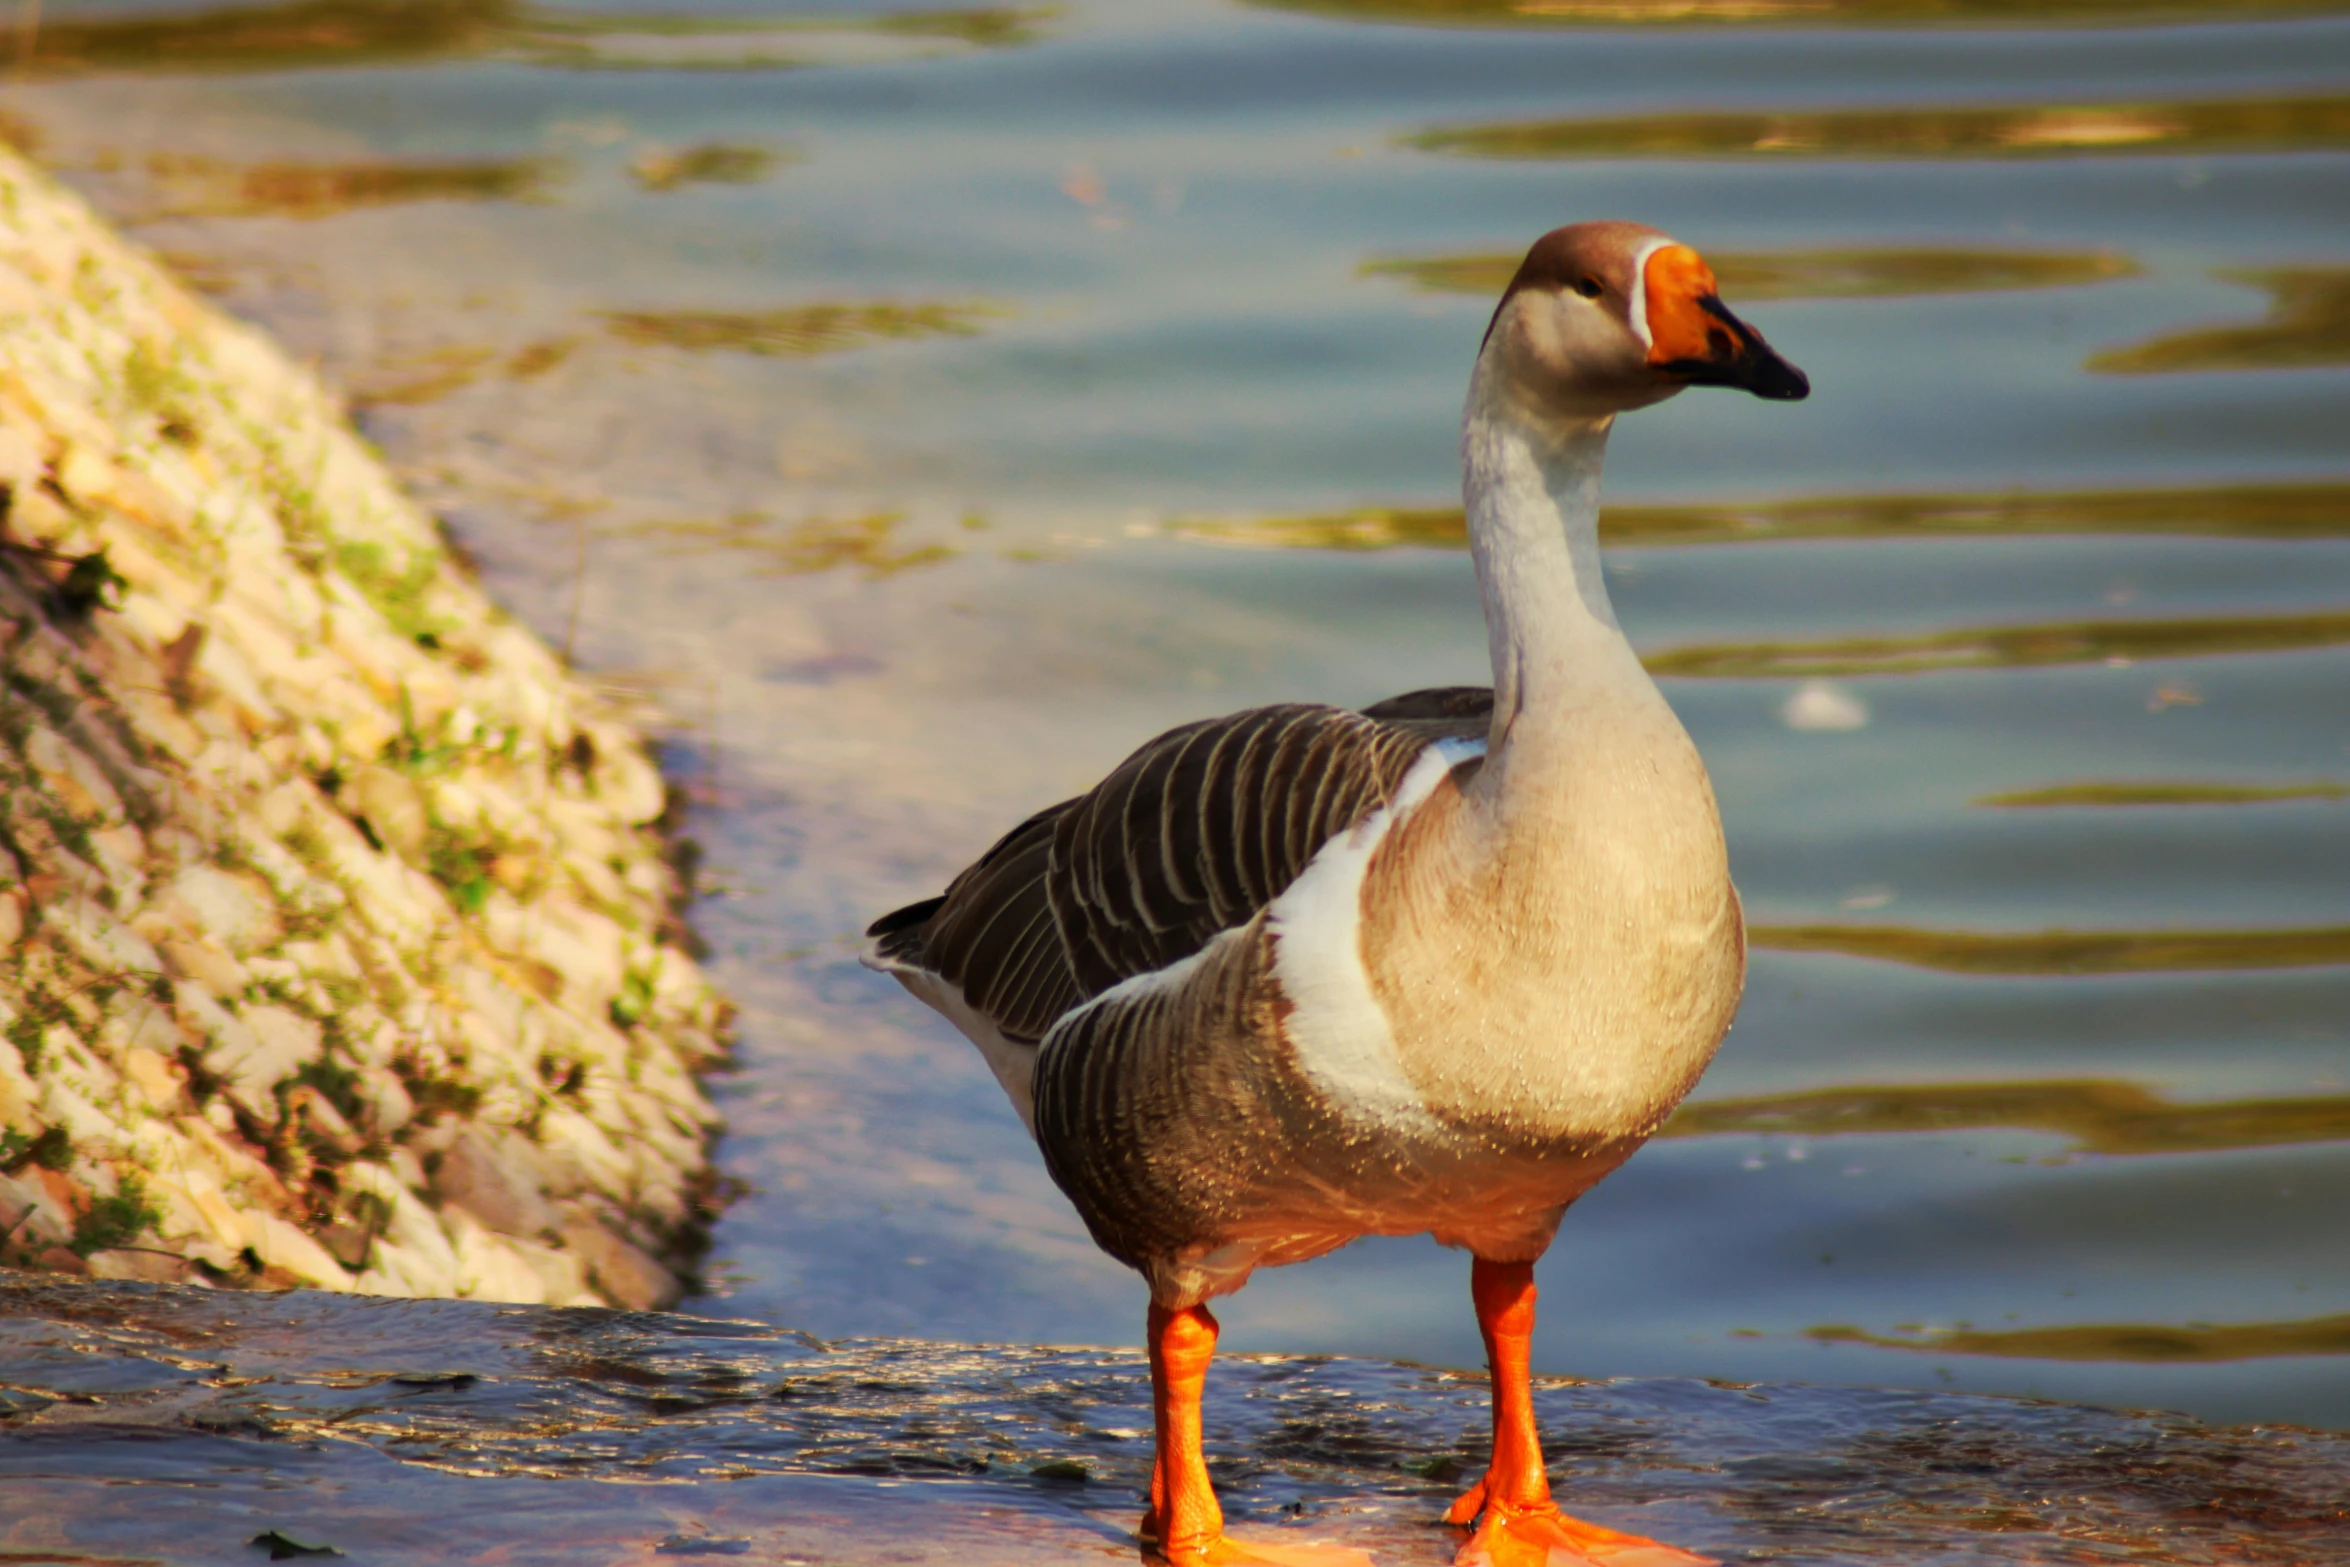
(2008, 647)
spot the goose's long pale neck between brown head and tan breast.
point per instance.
(1533, 492)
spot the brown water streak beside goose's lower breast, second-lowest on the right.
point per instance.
(2095, 1115)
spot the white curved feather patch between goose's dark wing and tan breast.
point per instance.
(1338, 1030)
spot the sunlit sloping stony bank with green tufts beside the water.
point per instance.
(340, 934)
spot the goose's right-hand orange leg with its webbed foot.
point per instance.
(1517, 1524)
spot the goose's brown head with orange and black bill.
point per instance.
(1606, 318)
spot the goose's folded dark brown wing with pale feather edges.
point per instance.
(1188, 838)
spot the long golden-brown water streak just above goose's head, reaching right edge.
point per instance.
(2224, 126)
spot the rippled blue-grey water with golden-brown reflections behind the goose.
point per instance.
(920, 426)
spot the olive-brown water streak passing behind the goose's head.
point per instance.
(1834, 274)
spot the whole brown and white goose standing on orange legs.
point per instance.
(1301, 974)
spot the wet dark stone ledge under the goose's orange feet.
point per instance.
(173, 1420)
